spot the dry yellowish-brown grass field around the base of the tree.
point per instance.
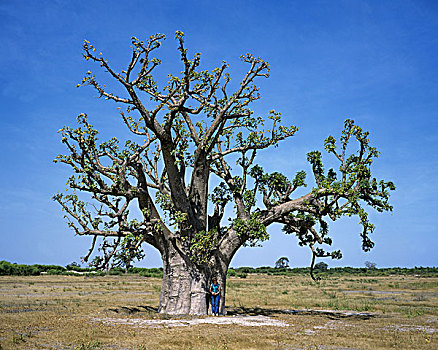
(264, 312)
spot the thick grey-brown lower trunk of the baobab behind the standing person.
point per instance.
(185, 287)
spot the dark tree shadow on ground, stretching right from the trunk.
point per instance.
(331, 314)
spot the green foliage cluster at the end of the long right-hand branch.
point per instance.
(350, 191)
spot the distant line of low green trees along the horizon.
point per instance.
(12, 269)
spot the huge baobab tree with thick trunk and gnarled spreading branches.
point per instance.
(184, 134)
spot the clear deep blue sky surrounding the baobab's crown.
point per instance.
(372, 61)
